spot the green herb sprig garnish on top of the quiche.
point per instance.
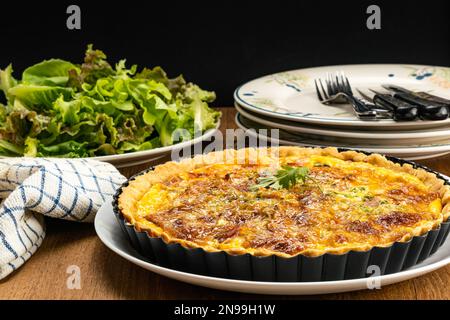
(286, 177)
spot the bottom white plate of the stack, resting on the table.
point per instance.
(407, 152)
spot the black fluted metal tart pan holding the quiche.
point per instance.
(327, 267)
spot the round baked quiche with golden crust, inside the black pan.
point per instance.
(224, 201)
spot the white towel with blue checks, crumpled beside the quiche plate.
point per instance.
(59, 188)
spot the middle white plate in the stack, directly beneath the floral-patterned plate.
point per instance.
(428, 135)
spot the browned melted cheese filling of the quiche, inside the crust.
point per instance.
(344, 204)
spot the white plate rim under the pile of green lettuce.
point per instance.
(152, 156)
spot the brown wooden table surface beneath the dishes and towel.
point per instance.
(105, 275)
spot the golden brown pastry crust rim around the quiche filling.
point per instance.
(128, 201)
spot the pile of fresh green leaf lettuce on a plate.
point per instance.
(62, 109)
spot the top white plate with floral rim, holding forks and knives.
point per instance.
(291, 95)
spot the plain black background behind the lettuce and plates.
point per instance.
(221, 44)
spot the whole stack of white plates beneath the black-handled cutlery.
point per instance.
(287, 101)
